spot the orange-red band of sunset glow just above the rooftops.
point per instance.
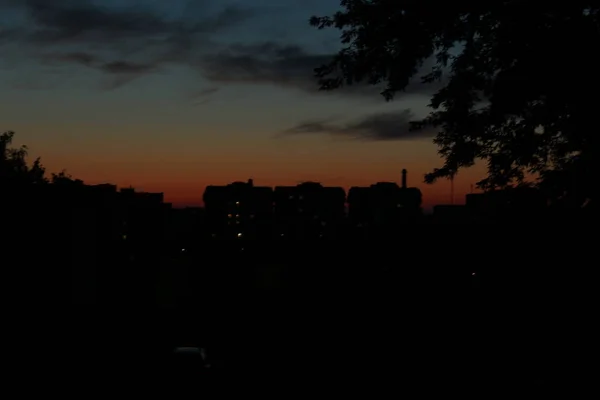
(183, 182)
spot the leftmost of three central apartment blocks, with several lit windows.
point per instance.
(239, 210)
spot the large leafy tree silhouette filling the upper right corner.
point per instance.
(518, 81)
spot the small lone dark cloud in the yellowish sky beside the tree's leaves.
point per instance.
(380, 126)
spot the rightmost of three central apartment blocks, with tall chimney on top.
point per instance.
(383, 206)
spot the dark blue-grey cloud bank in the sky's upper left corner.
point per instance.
(130, 41)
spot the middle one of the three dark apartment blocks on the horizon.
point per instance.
(308, 210)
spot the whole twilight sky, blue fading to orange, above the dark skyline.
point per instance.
(172, 96)
